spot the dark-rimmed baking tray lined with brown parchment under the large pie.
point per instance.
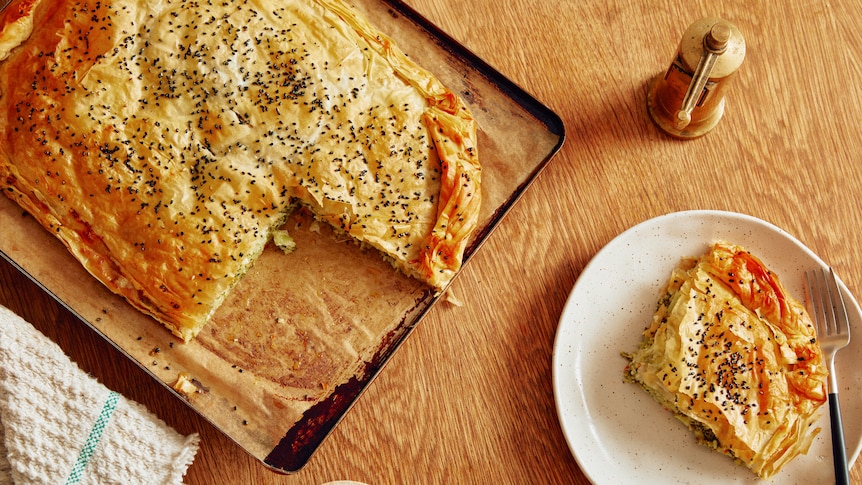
(304, 334)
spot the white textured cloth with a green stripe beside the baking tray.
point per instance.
(60, 426)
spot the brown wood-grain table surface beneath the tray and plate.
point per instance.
(469, 396)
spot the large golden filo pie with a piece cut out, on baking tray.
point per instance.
(163, 142)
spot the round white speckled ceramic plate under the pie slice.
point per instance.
(617, 433)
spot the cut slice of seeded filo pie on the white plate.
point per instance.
(735, 358)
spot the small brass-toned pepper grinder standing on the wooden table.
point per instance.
(688, 100)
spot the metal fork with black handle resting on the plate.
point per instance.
(833, 332)
